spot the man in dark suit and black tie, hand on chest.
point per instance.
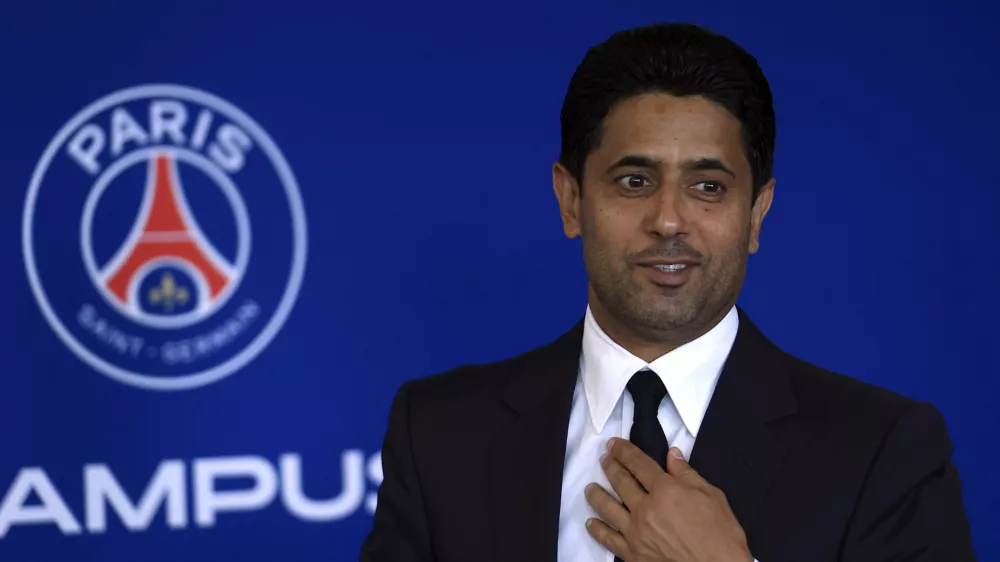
(575, 451)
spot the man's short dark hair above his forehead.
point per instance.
(673, 58)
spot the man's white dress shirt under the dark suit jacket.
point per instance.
(602, 410)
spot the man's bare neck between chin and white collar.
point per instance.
(649, 343)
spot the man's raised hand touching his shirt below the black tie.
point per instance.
(673, 516)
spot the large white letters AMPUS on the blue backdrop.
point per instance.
(33, 499)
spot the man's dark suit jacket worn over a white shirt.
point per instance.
(816, 466)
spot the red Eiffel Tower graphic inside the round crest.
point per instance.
(167, 233)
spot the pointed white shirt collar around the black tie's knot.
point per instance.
(689, 372)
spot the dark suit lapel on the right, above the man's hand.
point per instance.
(735, 449)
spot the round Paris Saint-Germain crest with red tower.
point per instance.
(164, 237)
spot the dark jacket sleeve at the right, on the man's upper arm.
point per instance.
(910, 507)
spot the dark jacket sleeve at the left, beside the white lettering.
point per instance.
(399, 532)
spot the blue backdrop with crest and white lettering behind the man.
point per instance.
(389, 215)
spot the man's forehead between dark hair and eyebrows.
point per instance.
(672, 129)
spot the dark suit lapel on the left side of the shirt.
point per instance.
(527, 455)
